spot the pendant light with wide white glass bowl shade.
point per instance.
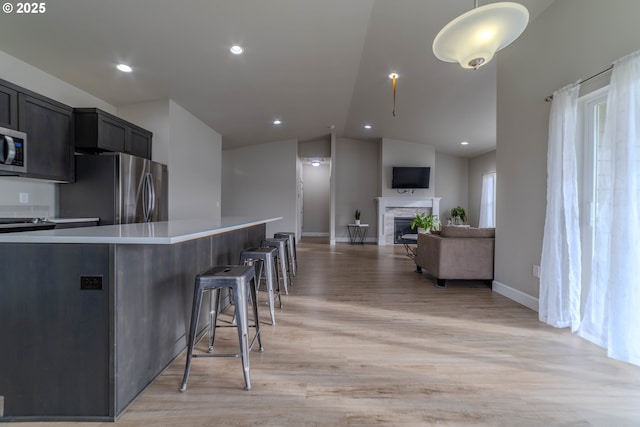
(474, 37)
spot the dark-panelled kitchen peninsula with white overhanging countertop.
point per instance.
(91, 316)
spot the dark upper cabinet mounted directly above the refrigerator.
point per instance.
(97, 131)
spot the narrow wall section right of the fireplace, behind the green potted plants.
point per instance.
(450, 183)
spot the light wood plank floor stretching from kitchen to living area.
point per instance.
(365, 340)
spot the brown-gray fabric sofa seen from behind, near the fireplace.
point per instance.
(457, 253)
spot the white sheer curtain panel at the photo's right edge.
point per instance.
(612, 309)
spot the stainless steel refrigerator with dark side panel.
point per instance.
(118, 188)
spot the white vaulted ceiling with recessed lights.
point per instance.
(310, 63)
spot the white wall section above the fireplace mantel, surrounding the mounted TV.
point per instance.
(403, 153)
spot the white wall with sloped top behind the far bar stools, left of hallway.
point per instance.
(260, 180)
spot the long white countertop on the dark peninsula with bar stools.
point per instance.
(154, 233)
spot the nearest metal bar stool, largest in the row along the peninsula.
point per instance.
(238, 279)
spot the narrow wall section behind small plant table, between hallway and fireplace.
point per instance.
(357, 176)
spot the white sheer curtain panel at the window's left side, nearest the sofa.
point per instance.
(559, 303)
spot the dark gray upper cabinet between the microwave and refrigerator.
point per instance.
(49, 128)
